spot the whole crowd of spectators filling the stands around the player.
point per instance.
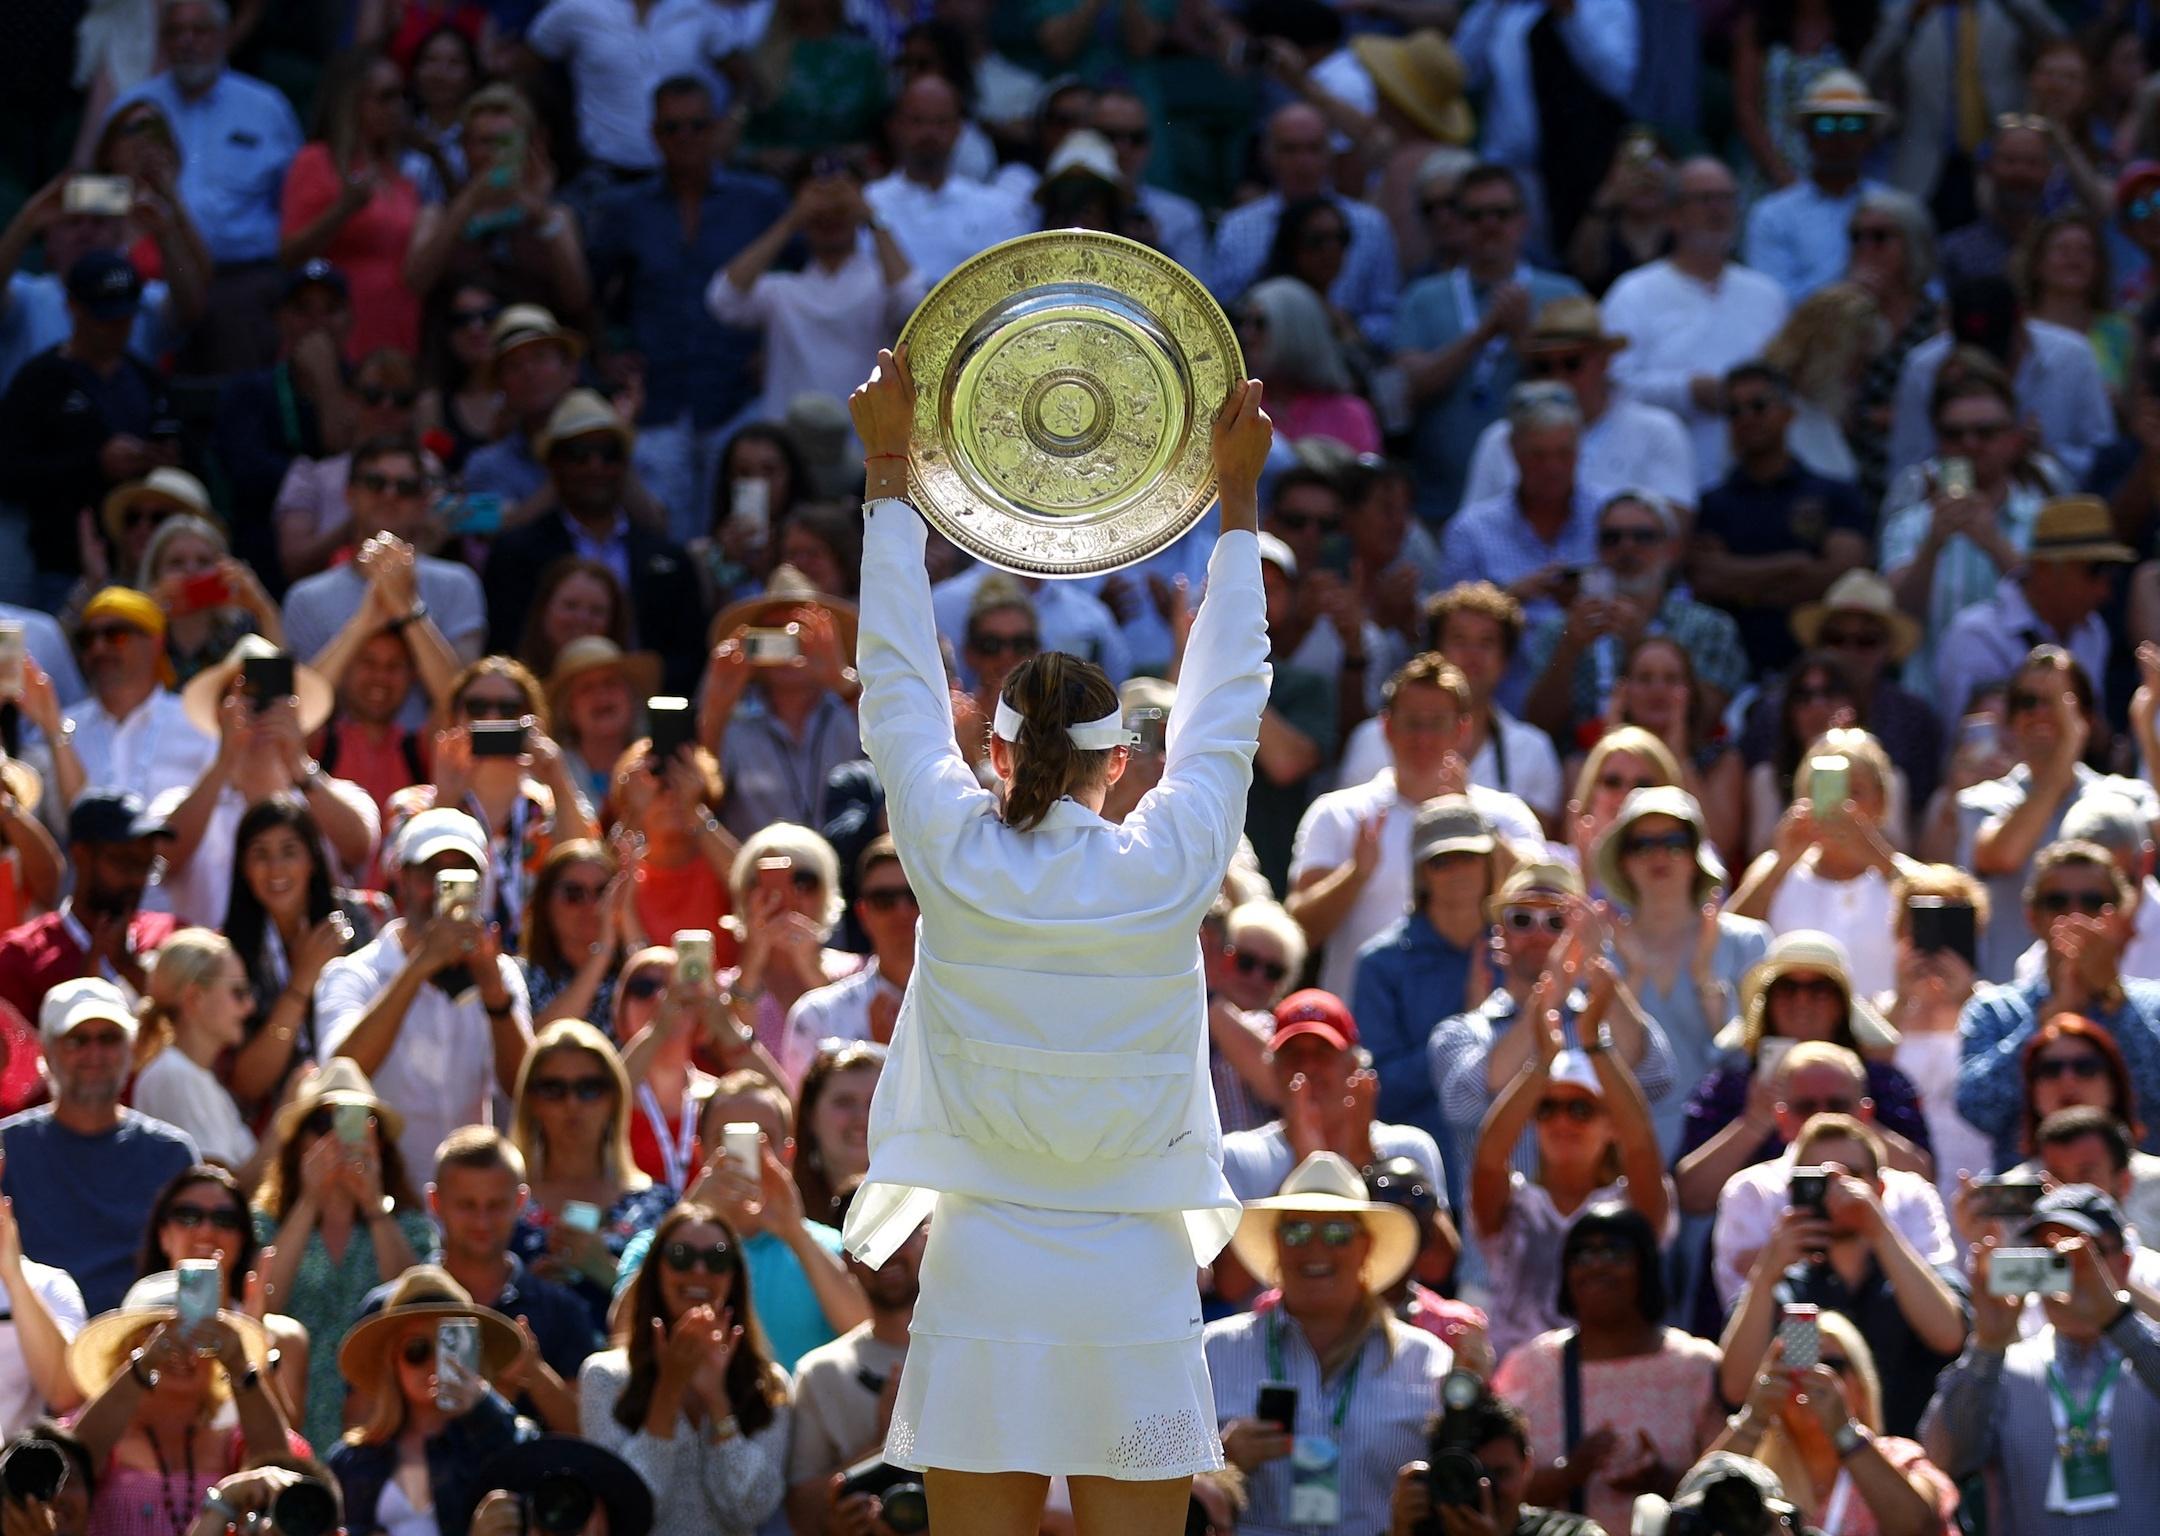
(1686, 1021)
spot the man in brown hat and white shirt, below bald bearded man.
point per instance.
(1625, 442)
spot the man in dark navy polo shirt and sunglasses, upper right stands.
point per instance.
(1772, 535)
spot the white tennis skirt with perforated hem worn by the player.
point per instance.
(1055, 1343)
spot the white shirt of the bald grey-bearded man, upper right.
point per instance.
(1682, 329)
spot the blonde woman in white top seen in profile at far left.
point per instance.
(198, 1010)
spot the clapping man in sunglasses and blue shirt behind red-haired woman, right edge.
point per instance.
(2079, 904)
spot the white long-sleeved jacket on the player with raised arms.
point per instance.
(1053, 1045)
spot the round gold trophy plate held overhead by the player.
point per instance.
(1066, 388)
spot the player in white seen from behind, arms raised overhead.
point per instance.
(1049, 1083)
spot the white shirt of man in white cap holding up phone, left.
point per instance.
(442, 1066)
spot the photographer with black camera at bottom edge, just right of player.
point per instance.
(1491, 1438)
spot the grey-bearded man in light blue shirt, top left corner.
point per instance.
(237, 139)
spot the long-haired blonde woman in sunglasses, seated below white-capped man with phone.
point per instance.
(571, 1122)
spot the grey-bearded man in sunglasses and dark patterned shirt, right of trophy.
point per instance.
(1576, 656)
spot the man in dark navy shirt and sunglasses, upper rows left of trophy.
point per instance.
(653, 247)
